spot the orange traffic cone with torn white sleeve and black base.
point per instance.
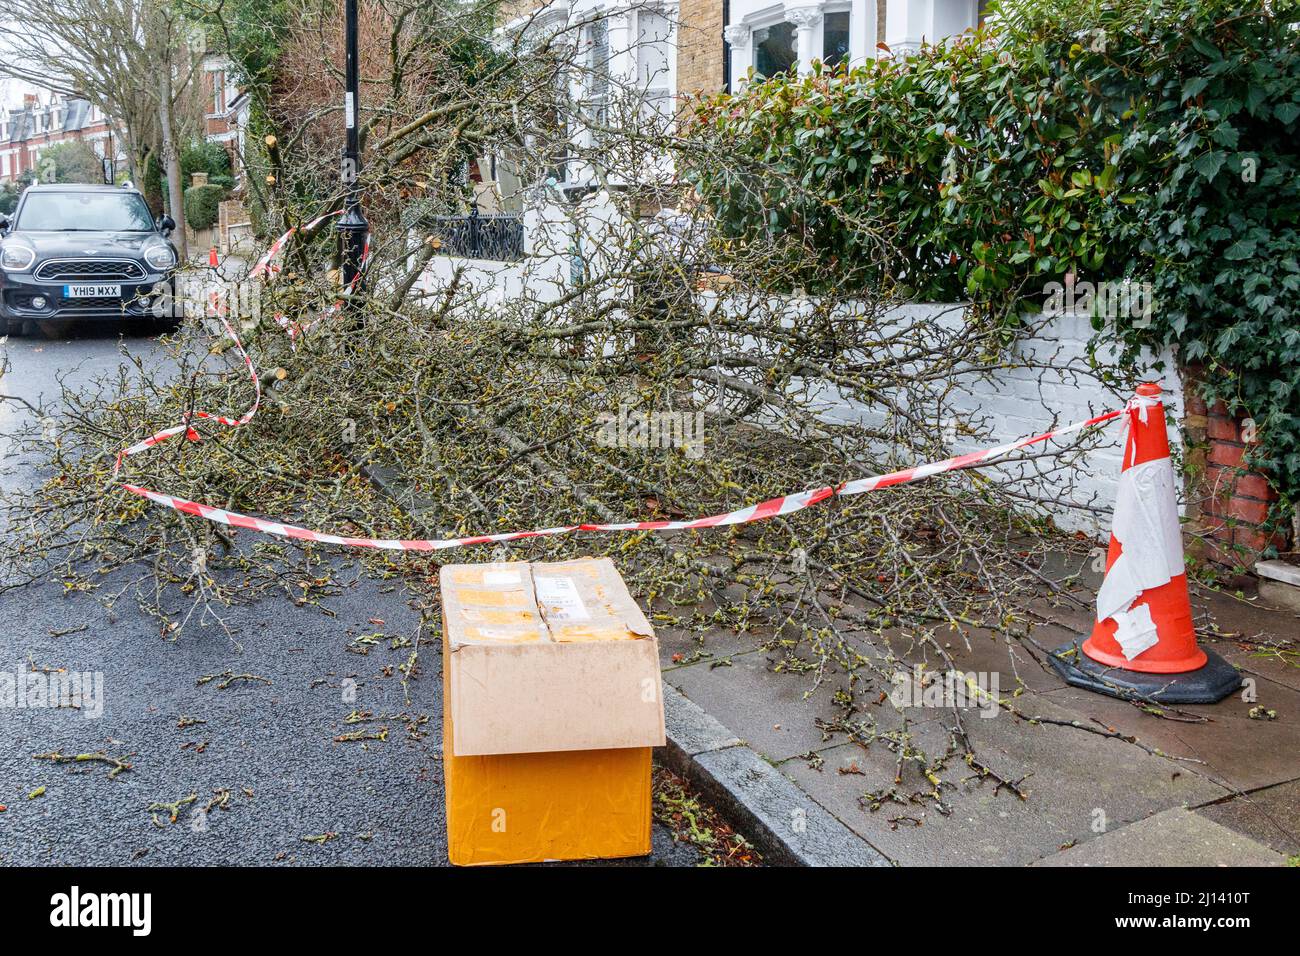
(1145, 643)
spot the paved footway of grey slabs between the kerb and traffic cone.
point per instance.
(1221, 788)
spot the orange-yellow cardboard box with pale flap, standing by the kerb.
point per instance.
(552, 706)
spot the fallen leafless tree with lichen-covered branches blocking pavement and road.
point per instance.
(505, 414)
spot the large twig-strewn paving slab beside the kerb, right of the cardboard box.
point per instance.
(1073, 780)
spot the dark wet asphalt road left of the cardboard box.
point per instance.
(265, 749)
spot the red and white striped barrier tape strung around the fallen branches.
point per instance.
(773, 508)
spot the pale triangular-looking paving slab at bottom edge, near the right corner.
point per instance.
(1171, 838)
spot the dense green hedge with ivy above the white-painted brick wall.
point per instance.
(1152, 141)
